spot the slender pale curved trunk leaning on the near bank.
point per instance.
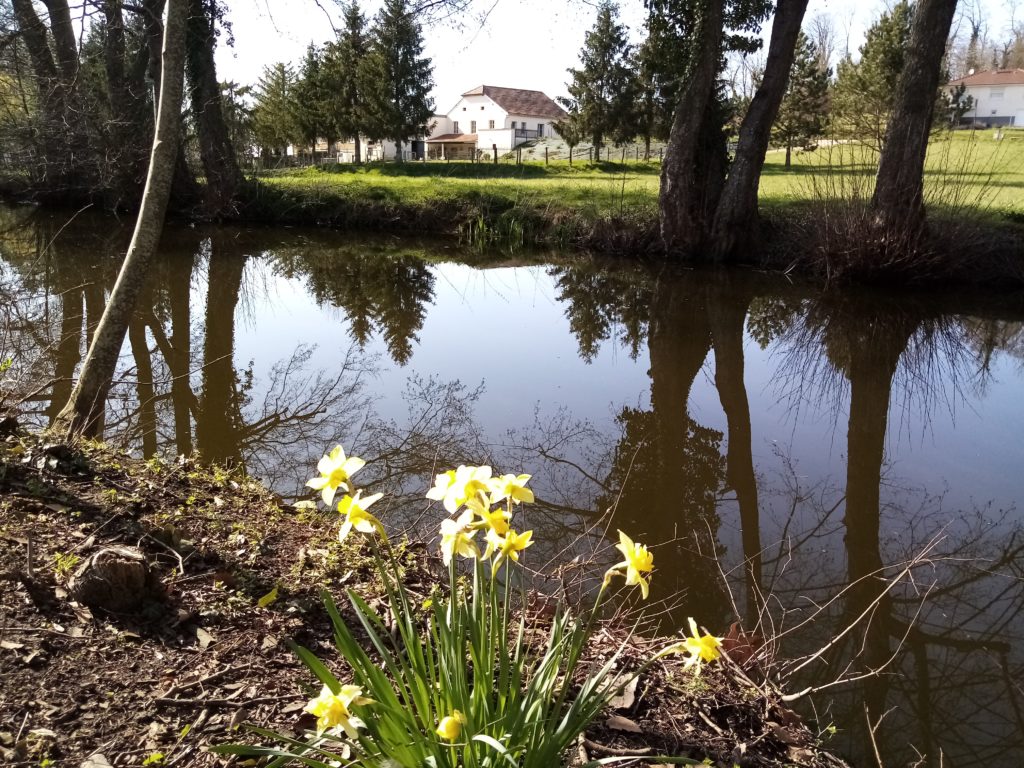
(88, 404)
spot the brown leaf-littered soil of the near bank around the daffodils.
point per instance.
(238, 574)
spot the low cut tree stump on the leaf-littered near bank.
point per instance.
(115, 579)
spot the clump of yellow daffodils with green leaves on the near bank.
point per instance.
(463, 691)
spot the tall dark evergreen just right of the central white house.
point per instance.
(603, 92)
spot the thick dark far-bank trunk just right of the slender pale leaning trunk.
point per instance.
(224, 179)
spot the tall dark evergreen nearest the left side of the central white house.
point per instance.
(395, 77)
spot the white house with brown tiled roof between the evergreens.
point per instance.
(489, 119)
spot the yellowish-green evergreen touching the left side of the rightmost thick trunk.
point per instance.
(866, 91)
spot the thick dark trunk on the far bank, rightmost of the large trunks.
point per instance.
(899, 201)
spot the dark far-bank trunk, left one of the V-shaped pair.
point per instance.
(681, 193)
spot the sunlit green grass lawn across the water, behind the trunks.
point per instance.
(964, 168)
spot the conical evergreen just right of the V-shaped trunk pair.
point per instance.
(805, 108)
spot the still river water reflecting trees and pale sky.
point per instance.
(844, 473)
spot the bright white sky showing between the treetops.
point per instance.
(523, 44)
